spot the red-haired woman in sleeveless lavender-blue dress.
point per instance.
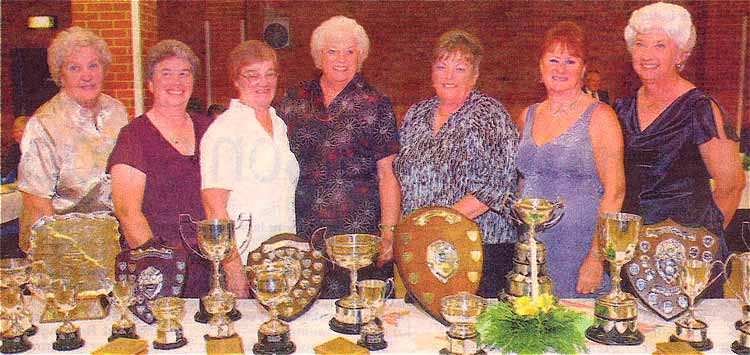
(571, 147)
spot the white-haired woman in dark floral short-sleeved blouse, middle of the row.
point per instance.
(343, 132)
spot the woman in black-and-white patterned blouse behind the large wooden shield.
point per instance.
(458, 149)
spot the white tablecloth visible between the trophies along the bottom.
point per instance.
(408, 329)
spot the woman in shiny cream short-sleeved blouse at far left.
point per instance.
(68, 139)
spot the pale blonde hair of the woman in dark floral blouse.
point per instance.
(334, 26)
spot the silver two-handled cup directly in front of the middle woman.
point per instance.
(353, 252)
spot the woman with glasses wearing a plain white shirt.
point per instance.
(247, 169)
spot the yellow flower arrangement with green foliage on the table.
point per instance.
(532, 326)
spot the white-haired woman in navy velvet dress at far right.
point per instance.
(676, 138)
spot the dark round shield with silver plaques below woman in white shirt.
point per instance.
(305, 271)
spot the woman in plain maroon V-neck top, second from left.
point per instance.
(154, 165)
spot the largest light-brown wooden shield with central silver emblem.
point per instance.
(438, 252)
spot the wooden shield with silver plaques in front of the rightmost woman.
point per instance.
(654, 268)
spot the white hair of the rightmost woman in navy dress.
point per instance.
(673, 19)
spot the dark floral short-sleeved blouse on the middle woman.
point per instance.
(337, 149)
